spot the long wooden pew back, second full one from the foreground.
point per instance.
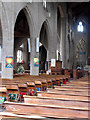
(54, 101)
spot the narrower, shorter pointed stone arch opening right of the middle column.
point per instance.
(44, 37)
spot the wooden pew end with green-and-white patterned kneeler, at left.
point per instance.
(13, 93)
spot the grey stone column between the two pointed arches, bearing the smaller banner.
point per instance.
(33, 69)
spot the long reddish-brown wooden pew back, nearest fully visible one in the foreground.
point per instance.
(46, 110)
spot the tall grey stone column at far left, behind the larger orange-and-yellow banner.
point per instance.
(8, 38)
